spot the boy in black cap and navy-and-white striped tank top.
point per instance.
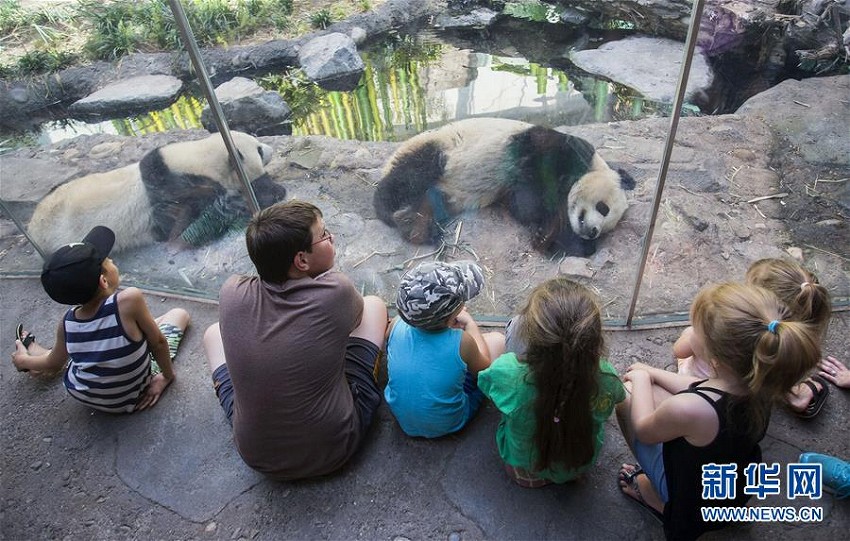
(108, 335)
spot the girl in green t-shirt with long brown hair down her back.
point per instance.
(554, 390)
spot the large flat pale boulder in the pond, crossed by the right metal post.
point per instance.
(649, 65)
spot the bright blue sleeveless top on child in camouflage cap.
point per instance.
(426, 375)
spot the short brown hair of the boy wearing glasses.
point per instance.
(277, 233)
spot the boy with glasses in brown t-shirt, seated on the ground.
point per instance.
(294, 351)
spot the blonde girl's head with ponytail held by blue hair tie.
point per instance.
(749, 330)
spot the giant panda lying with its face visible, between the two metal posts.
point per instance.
(553, 183)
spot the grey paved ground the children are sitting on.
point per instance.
(172, 472)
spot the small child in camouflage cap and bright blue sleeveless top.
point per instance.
(435, 350)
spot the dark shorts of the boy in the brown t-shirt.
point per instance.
(360, 358)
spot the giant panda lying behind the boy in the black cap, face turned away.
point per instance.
(157, 198)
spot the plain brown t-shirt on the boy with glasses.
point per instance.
(293, 414)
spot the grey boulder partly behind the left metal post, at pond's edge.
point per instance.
(249, 108)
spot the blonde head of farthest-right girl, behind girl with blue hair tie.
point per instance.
(796, 287)
